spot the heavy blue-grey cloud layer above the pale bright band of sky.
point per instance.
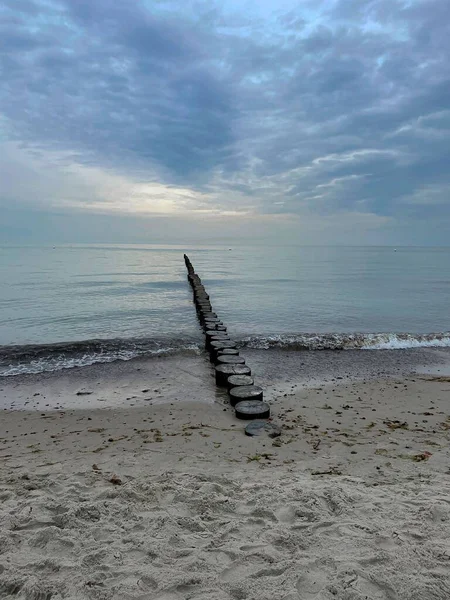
(334, 108)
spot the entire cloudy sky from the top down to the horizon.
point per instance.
(268, 121)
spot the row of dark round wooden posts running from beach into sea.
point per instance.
(231, 370)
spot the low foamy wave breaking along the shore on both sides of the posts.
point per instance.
(32, 359)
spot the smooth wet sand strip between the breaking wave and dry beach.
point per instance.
(188, 377)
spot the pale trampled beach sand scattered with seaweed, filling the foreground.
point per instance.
(169, 502)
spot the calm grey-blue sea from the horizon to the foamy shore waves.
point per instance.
(76, 305)
